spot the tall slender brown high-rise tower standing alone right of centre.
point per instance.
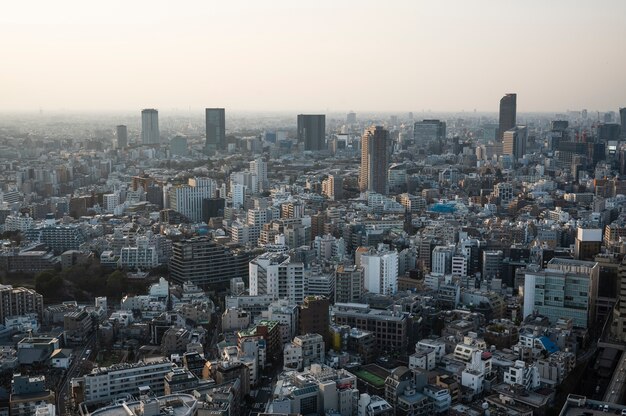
(374, 160)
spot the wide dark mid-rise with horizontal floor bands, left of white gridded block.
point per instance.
(206, 263)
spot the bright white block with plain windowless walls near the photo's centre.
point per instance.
(380, 270)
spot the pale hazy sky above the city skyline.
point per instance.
(312, 56)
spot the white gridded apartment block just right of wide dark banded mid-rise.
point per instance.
(274, 274)
